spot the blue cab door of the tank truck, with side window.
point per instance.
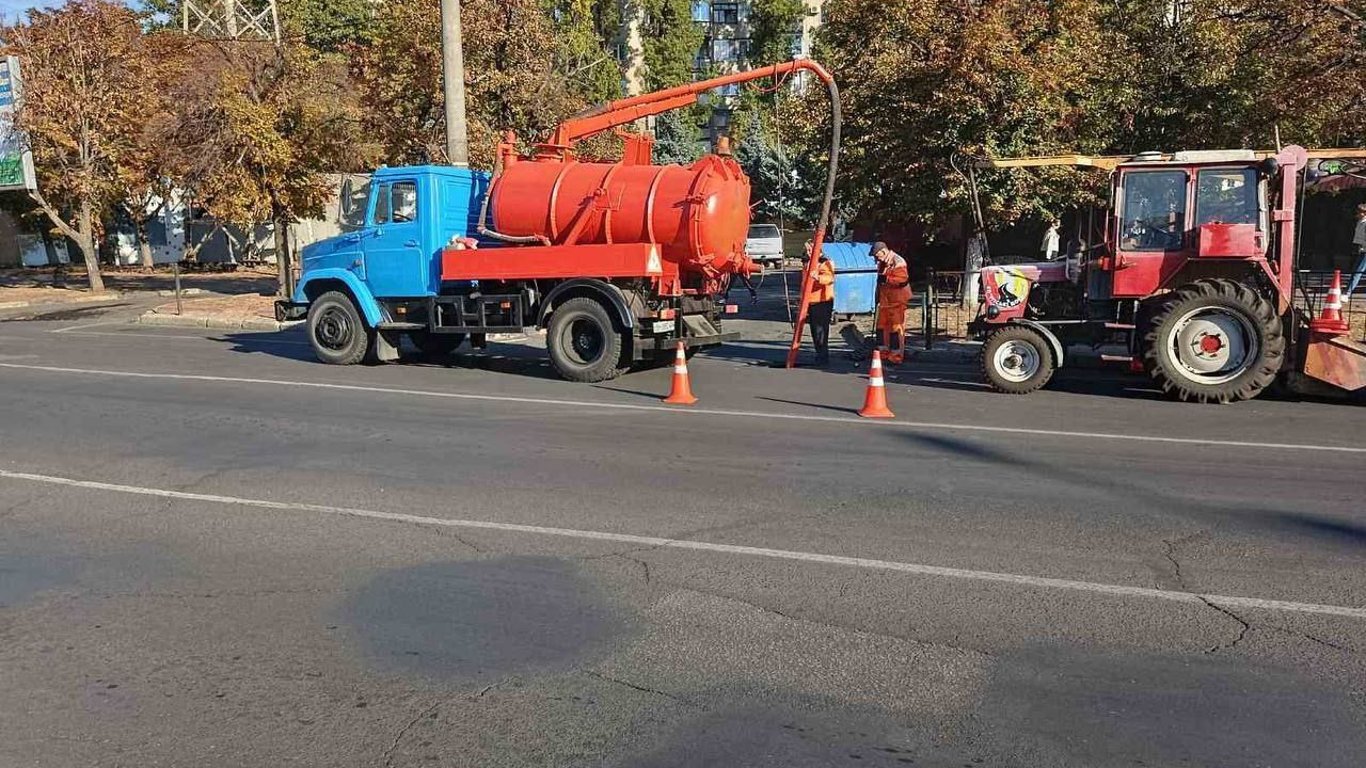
(395, 260)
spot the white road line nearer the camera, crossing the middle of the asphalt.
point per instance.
(1043, 583)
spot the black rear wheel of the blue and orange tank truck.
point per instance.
(584, 342)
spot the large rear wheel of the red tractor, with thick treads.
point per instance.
(1215, 342)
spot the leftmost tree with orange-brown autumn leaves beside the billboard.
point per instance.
(84, 111)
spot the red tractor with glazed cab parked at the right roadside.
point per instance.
(1196, 278)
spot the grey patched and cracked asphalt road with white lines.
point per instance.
(219, 553)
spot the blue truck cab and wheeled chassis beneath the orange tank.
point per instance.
(382, 281)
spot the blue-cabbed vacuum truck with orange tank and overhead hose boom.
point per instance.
(618, 262)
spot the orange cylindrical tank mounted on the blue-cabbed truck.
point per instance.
(699, 215)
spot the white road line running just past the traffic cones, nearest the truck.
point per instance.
(850, 420)
